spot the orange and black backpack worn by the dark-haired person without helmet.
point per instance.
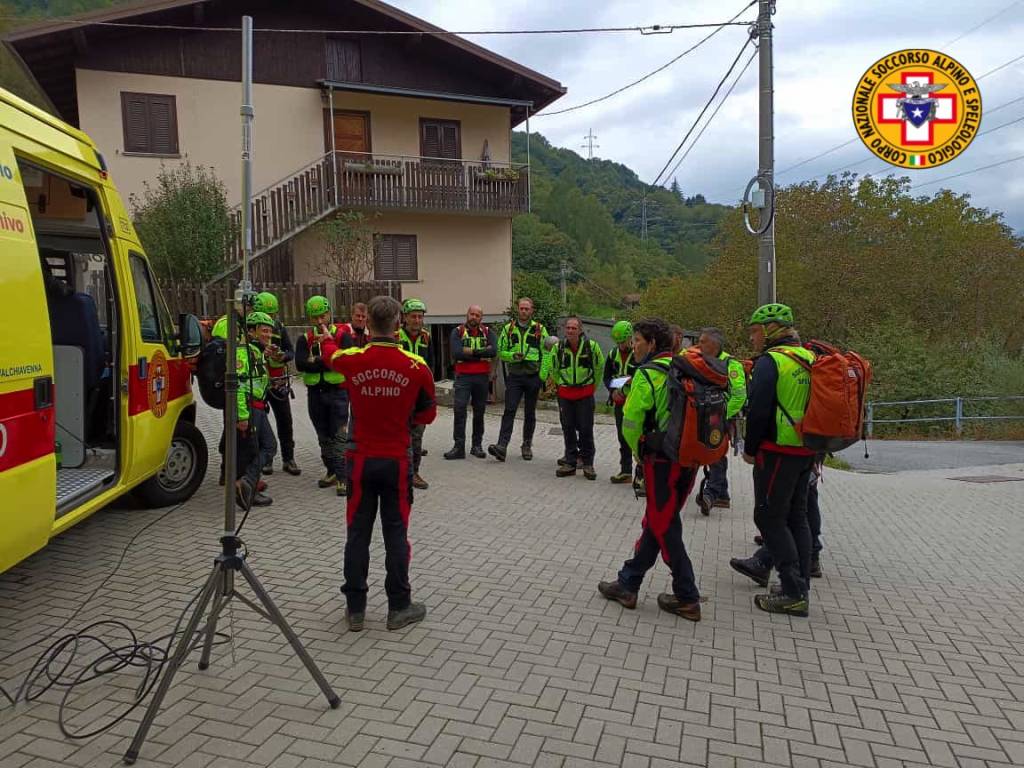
(698, 431)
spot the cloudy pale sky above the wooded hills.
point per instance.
(822, 50)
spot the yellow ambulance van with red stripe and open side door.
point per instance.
(96, 385)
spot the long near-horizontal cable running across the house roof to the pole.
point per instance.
(657, 29)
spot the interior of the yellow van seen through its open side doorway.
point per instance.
(75, 261)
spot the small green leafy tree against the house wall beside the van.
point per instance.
(184, 222)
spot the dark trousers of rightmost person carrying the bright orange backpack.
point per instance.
(781, 483)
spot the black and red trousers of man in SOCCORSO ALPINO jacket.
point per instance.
(373, 485)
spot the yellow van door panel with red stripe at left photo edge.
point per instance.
(28, 465)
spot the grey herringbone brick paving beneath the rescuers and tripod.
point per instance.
(913, 656)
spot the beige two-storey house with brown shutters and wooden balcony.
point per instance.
(413, 129)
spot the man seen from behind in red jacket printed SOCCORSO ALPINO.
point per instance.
(390, 391)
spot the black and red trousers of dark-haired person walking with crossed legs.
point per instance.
(668, 486)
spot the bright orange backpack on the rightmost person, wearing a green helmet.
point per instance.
(835, 416)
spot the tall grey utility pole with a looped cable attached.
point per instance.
(766, 153)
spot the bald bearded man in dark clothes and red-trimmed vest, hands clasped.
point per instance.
(474, 349)
